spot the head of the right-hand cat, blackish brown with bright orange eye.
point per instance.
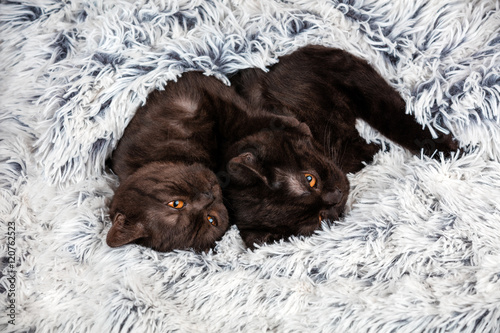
(282, 184)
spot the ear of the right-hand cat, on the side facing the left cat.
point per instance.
(245, 169)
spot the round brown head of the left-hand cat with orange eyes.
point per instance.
(168, 206)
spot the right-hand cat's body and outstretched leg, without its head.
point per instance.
(328, 89)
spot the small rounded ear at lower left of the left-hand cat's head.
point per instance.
(122, 233)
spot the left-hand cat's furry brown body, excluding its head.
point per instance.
(189, 122)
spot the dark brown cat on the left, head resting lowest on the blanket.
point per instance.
(185, 125)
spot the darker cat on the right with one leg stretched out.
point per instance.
(328, 89)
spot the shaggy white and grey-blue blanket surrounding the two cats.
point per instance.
(418, 250)
